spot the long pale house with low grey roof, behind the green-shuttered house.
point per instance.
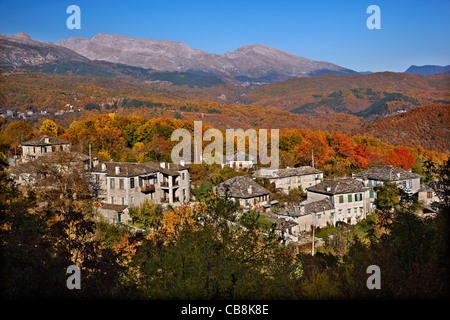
(290, 178)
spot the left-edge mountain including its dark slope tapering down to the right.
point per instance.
(20, 51)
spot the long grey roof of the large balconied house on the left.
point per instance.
(131, 169)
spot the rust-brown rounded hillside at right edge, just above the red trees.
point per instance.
(427, 126)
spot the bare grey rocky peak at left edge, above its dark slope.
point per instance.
(20, 50)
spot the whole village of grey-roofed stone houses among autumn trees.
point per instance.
(122, 185)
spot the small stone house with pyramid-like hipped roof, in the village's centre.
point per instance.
(250, 194)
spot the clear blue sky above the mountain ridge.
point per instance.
(412, 32)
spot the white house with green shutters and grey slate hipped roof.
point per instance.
(351, 199)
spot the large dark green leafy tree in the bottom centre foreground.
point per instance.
(214, 257)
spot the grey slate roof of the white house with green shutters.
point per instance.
(340, 185)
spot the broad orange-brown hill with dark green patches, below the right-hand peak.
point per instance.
(370, 95)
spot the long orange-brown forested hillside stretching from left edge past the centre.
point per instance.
(33, 91)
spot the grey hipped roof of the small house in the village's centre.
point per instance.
(241, 187)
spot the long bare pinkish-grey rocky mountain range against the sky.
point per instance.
(253, 63)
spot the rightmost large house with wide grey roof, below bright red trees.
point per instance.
(374, 176)
